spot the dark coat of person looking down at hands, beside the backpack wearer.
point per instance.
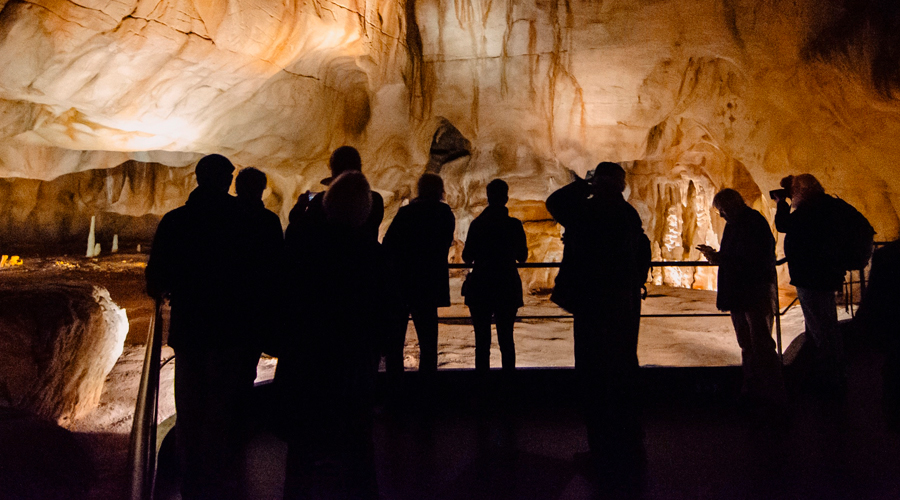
(746, 262)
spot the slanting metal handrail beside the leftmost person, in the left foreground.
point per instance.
(142, 448)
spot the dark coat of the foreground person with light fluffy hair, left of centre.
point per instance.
(344, 302)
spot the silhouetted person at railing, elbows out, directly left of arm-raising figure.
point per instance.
(494, 244)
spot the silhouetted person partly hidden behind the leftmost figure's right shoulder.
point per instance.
(265, 244)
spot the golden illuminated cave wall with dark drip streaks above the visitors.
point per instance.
(692, 96)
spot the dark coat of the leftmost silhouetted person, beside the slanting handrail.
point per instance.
(199, 257)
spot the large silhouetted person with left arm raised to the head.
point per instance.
(605, 262)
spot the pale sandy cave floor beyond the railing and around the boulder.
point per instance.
(540, 343)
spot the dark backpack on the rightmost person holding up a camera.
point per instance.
(854, 236)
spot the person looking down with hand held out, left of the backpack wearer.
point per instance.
(746, 288)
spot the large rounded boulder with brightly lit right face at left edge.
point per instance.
(58, 342)
